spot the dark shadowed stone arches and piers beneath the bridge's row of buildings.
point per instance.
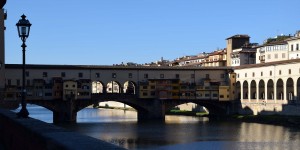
(147, 109)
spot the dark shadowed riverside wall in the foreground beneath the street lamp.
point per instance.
(32, 134)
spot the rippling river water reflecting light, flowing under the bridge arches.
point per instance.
(178, 132)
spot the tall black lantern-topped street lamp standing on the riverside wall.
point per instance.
(23, 30)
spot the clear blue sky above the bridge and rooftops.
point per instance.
(106, 32)
